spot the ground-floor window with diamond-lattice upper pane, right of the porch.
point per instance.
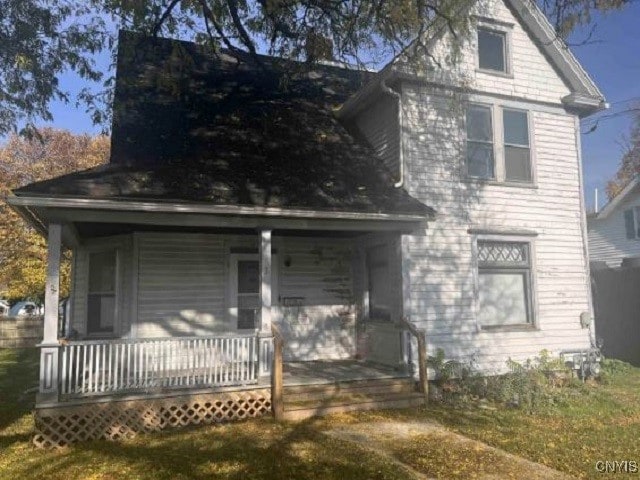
(504, 283)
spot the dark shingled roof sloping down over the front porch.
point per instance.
(224, 129)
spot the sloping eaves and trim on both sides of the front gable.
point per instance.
(585, 95)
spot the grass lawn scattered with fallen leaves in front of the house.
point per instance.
(601, 423)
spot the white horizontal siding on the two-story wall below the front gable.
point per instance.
(442, 269)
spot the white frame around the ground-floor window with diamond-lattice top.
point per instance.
(533, 296)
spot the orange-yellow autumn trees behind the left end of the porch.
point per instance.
(23, 251)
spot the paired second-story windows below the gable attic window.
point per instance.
(498, 149)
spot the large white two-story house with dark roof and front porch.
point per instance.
(333, 208)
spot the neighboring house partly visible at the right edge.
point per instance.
(614, 231)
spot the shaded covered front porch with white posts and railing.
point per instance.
(173, 299)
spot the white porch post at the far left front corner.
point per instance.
(49, 348)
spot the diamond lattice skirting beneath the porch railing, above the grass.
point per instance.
(60, 426)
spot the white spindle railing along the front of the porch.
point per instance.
(102, 367)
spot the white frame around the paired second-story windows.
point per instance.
(499, 169)
